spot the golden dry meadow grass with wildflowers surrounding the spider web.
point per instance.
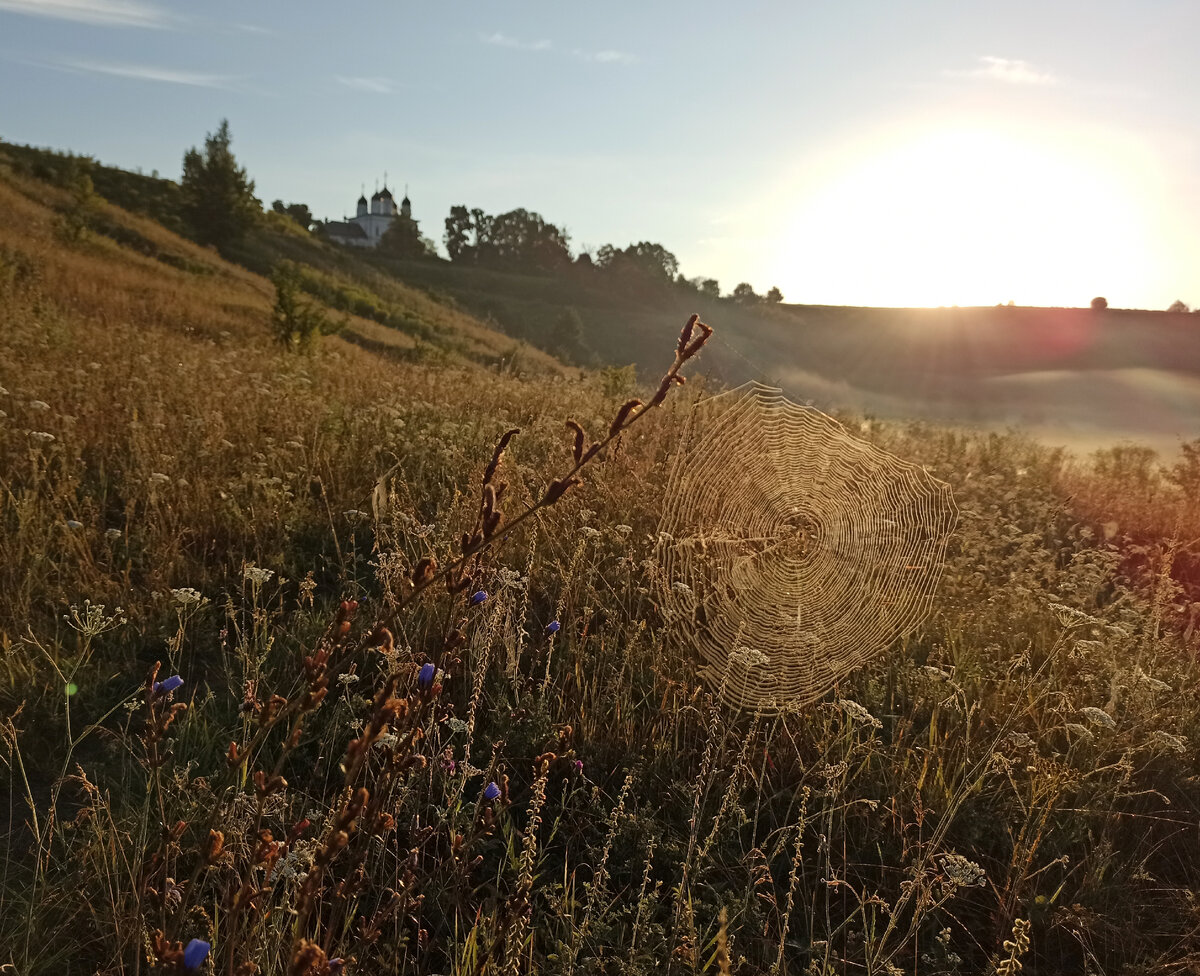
(1013, 787)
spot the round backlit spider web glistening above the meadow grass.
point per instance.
(793, 553)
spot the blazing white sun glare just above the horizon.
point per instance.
(969, 217)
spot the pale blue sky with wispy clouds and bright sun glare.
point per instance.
(855, 153)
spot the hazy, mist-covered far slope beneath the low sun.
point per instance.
(1075, 376)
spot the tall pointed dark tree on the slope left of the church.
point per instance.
(218, 197)
